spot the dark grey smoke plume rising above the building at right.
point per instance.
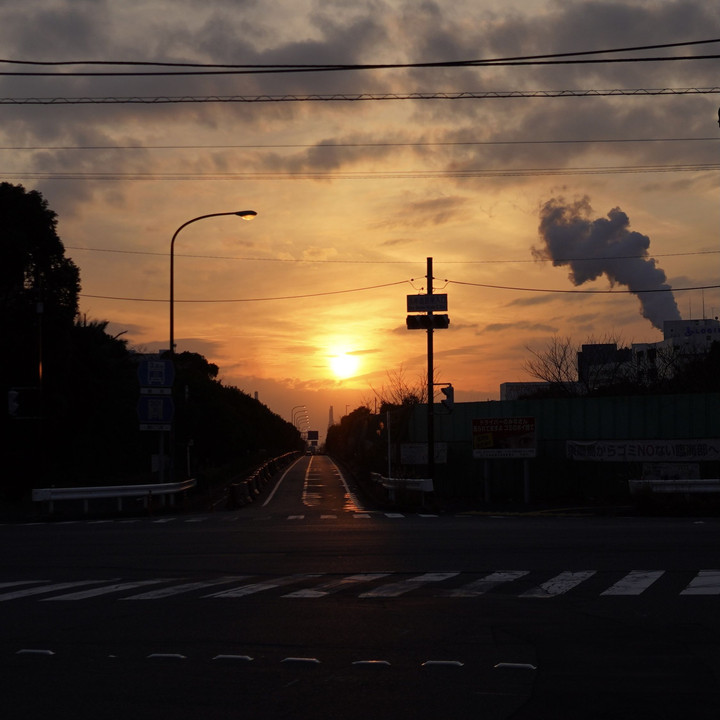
(605, 246)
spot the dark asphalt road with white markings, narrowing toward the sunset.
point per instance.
(309, 605)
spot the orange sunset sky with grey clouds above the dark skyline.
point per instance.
(509, 190)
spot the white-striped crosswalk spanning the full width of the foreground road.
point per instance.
(527, 584)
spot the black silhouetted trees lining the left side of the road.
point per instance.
(73, 389)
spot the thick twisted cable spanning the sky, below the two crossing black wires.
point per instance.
(357, 97)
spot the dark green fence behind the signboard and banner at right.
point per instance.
(557, 420)
